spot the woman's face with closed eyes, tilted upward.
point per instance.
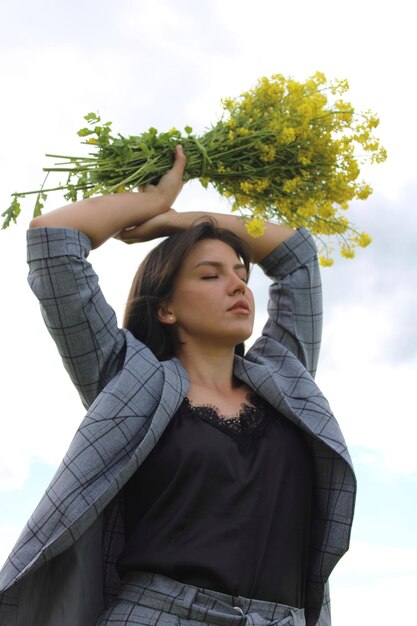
(212, 304)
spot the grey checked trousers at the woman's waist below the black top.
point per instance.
(154, 600)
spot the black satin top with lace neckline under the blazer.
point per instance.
(224, 504)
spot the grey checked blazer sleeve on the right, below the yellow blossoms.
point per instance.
(295, 302)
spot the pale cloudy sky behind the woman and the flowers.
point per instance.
(159, 63)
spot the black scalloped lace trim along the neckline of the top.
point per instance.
(245, 427)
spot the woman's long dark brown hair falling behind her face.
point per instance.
(154, 283)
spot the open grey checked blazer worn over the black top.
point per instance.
(62, 569)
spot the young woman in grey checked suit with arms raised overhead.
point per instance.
(204, 486)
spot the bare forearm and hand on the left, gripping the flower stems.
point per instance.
(103, 217)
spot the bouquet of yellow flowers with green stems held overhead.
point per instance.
(283, 151)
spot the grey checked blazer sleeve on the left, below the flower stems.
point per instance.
(82, 324)
